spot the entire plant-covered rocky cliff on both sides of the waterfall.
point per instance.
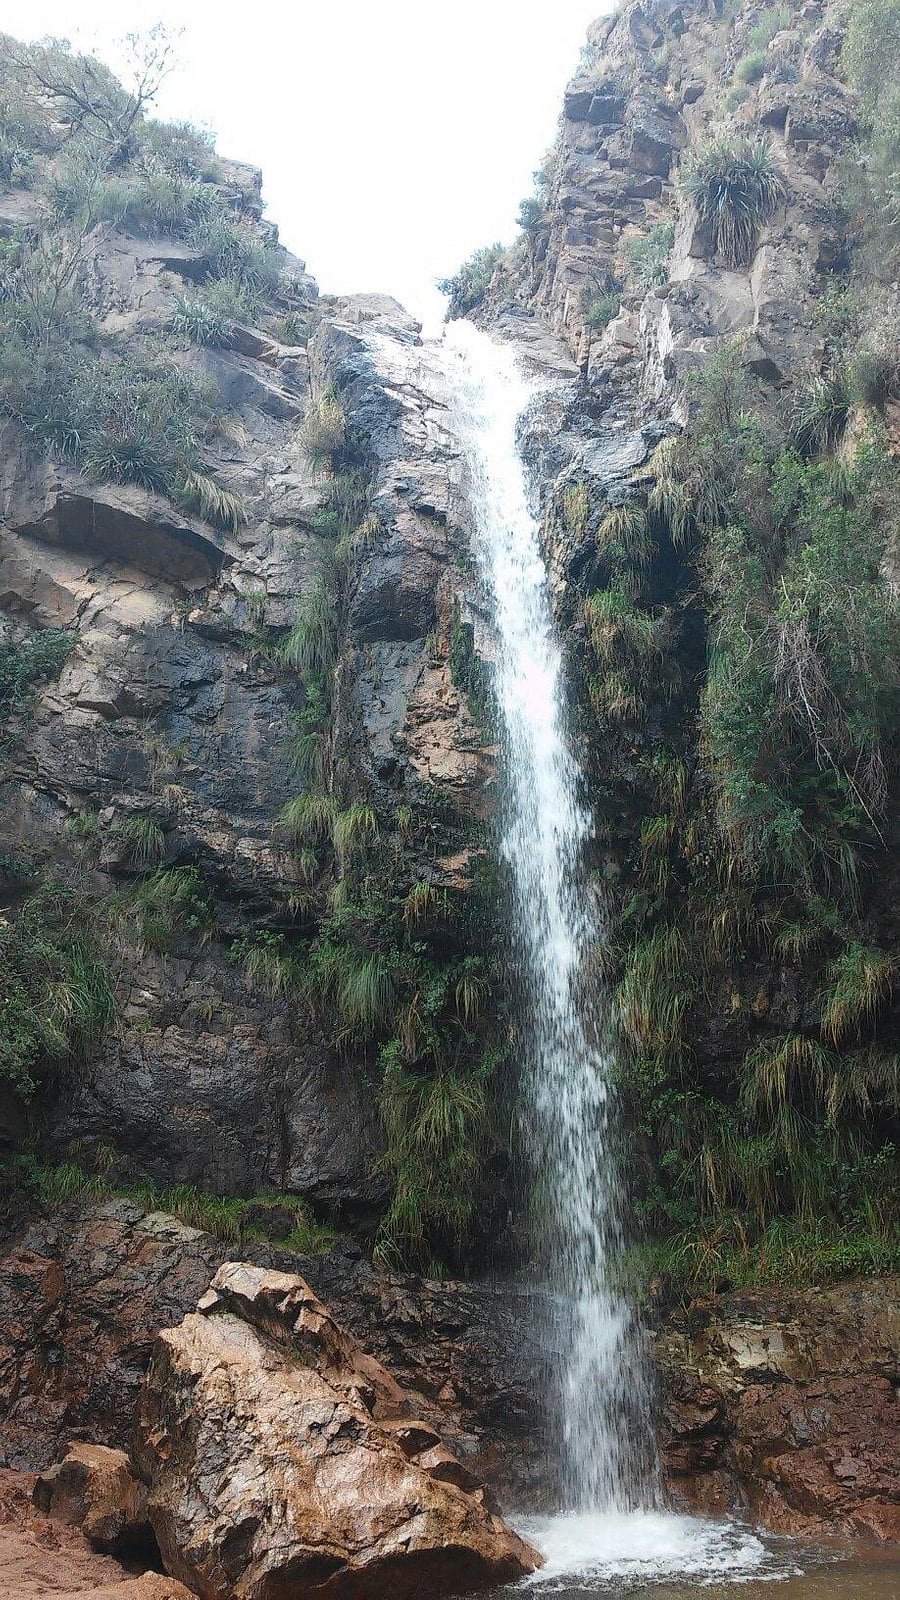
(254, 935)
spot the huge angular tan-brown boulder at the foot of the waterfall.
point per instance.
(281, 1457)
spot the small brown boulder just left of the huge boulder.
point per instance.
(94, 1489)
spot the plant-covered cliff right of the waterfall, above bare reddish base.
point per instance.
(712, 242)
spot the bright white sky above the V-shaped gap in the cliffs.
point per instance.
(395, 137)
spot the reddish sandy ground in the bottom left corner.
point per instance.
(41, 1558)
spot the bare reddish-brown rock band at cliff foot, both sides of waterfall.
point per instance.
(777, 1404)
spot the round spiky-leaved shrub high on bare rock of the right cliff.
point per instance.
(734, 188)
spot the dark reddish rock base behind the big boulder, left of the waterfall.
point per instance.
(84, 1295)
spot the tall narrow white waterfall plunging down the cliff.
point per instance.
(608, 1455)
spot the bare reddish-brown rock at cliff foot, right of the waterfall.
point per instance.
(785, 1404)
